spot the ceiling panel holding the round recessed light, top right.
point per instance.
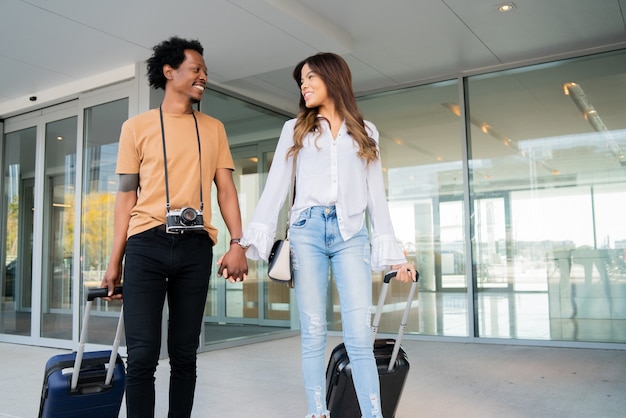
(537, 28)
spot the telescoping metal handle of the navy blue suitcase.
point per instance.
(94, 293)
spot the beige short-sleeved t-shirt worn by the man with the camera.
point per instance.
(141, 152)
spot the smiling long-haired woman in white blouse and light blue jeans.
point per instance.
(338, 177)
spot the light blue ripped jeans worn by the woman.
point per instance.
(317, 244)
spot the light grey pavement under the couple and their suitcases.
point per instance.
(446, 379)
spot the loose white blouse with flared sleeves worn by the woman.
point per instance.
(328, 172)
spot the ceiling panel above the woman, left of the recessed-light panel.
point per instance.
(409, 40)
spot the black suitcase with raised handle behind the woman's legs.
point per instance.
(391, 359)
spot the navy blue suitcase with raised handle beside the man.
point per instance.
(96, 391)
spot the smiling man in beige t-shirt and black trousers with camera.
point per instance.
(168, 159)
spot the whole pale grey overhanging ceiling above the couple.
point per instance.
(50, 48)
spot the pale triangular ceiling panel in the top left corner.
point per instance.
(49, 49)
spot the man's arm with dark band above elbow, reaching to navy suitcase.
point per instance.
(124, 202)
